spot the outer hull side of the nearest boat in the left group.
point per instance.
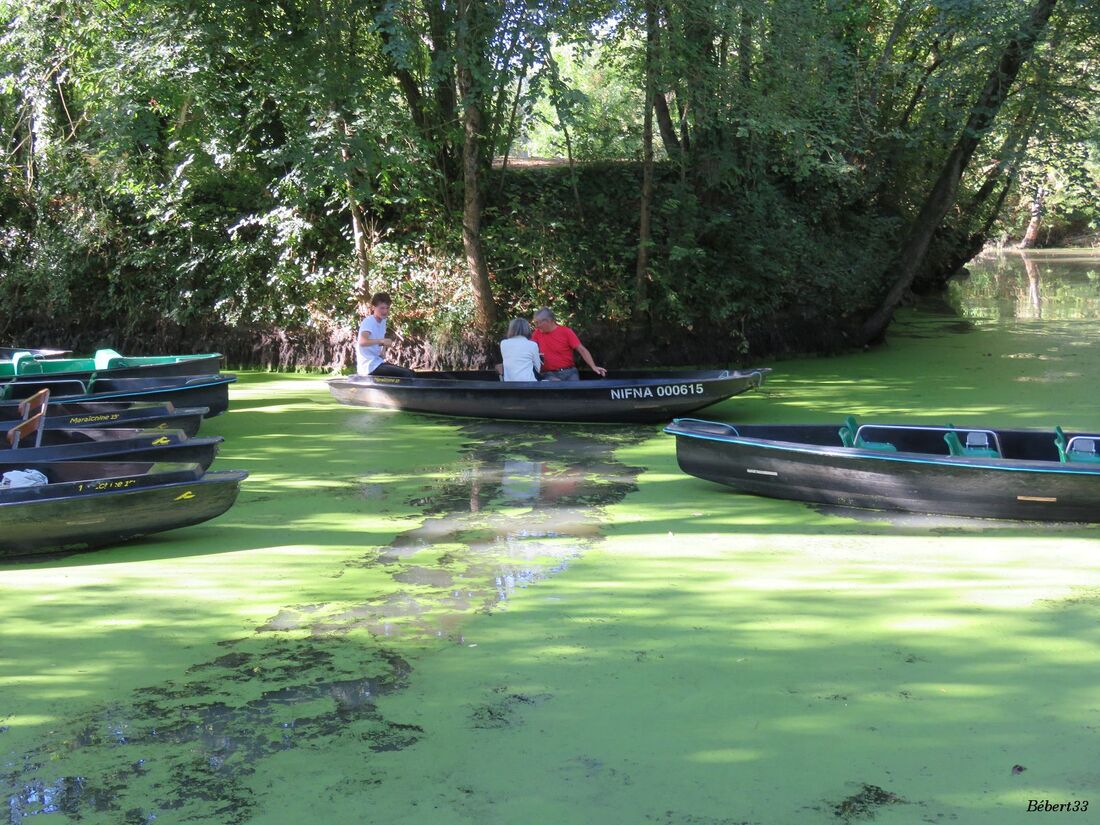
(111, 515)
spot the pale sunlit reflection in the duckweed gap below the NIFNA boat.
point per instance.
(520, 505)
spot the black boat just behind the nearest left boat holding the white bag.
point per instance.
(115, 445)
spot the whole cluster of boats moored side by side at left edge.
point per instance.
(102, 449)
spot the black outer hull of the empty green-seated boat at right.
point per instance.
(909, 482)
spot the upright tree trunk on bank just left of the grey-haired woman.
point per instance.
(469, 51)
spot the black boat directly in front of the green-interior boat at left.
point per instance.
(195, 391)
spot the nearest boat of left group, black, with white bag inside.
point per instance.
(93, 504)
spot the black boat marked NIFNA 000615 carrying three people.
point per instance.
(626, 397)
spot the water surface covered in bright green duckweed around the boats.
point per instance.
(412, 621)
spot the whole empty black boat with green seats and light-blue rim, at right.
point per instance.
(959, 471)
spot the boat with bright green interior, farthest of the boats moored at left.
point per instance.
(106, 365)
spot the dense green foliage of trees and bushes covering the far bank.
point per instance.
(174, 171)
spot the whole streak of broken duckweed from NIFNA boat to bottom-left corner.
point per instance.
(523, 501)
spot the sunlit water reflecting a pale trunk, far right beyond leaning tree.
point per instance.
(1060, 285)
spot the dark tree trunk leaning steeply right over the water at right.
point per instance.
(942, 197)
